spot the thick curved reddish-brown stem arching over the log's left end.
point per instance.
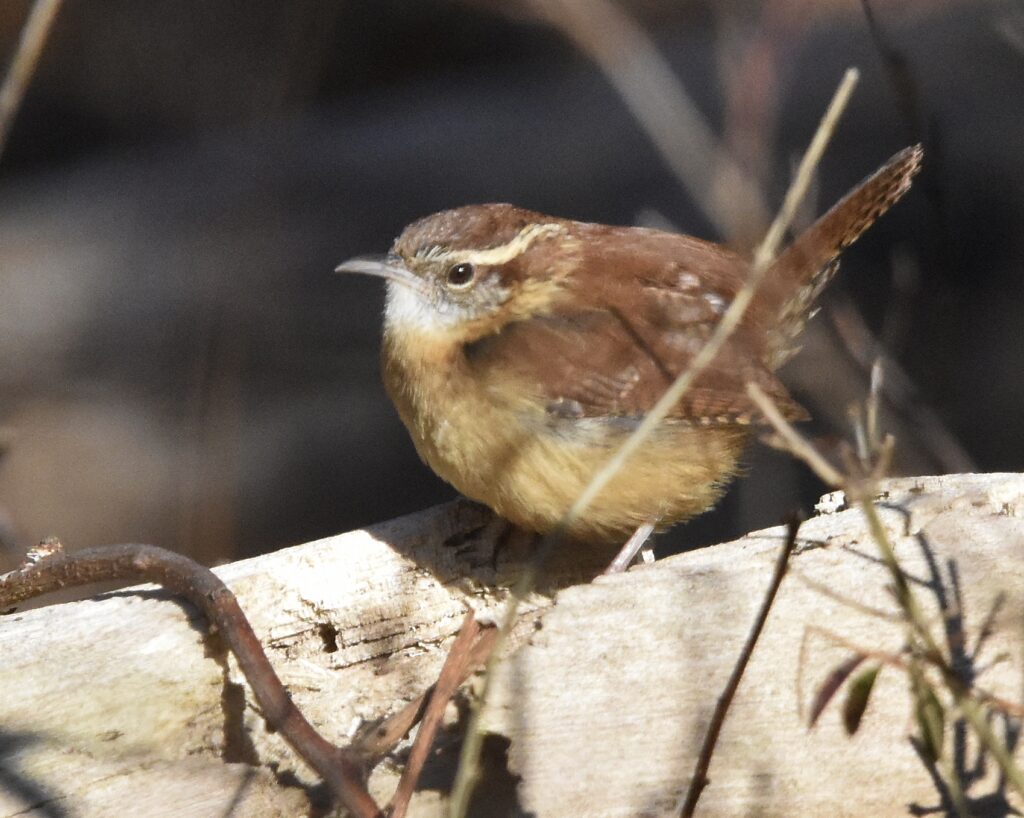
(205, 590)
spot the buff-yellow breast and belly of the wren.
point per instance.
(531, 470)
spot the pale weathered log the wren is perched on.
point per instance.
(120, 705)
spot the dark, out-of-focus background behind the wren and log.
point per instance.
(179, 365)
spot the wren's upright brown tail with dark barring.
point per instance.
(801, 272)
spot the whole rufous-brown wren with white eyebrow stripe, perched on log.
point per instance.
(522, 350)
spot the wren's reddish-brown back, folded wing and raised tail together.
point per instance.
(650, 300)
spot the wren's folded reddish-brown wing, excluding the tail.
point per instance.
(630, 333)
